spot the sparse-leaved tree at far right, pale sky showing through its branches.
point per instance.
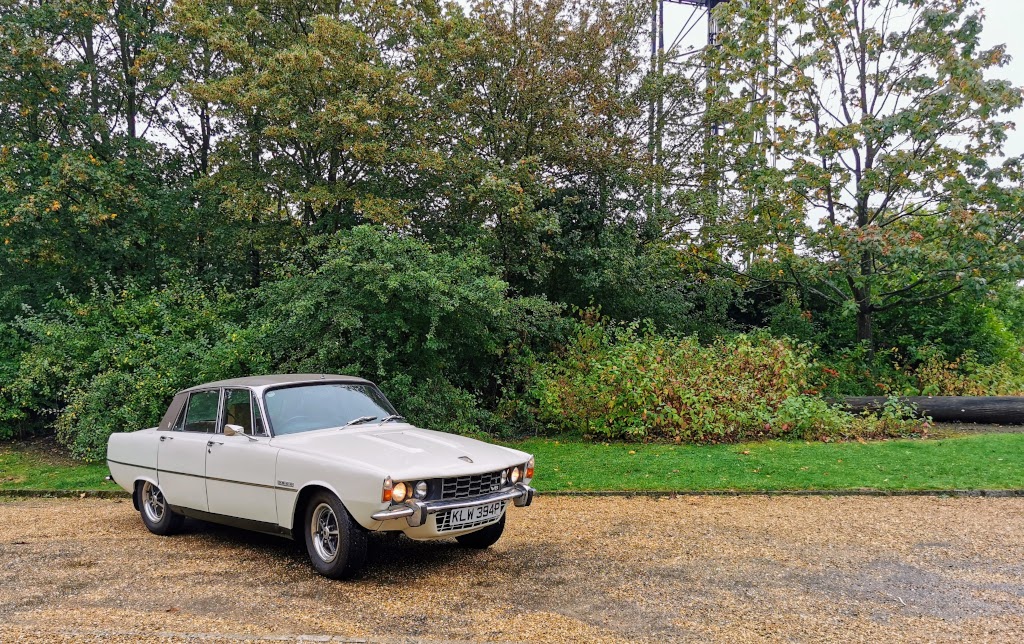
(862, 135)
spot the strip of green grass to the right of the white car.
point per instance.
(984, 461)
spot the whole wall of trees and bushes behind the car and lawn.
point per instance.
(421, 192)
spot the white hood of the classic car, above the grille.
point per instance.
(404, 451)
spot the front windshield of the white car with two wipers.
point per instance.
(304, 409)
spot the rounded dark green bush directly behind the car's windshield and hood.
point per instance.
(436, 330)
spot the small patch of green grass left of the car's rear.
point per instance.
(31, 470)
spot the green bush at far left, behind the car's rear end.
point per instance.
(113, 361)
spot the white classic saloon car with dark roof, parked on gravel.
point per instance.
(320, 458)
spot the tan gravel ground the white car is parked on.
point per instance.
(731, 570)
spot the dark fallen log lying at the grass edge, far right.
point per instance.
(997, 410)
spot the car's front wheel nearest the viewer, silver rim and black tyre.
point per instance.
(336, 544)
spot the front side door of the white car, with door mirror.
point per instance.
(240, 469)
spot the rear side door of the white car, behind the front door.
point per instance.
(182, 457)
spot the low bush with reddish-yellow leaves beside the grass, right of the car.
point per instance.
(619, 382)
